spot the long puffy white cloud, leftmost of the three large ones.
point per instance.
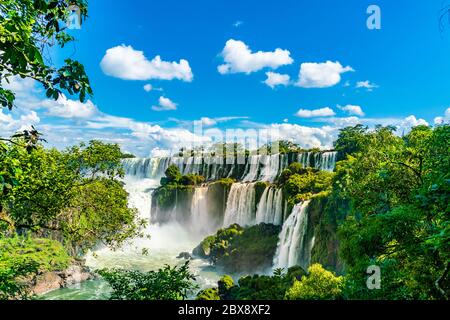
(126, 63)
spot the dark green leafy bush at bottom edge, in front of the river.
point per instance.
(168, 283)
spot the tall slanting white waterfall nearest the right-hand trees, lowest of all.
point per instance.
(293, 248)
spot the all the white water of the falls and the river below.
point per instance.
(167, 241)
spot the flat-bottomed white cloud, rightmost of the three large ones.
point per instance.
(321, 75)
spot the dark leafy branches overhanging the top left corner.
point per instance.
(27, 29)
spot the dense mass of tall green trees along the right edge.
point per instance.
(398, 188)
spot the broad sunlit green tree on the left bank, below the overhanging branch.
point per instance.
(72, 194)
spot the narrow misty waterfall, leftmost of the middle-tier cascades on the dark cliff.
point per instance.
(199, 211)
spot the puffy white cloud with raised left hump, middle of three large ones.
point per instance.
(239, 58)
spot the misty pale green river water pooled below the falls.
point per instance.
(164, 246)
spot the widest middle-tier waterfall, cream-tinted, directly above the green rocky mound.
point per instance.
(240, 206)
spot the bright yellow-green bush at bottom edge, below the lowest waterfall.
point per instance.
(319, 284)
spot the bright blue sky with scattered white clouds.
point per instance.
(372, 76)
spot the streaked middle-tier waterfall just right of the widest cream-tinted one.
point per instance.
(270, 207)
